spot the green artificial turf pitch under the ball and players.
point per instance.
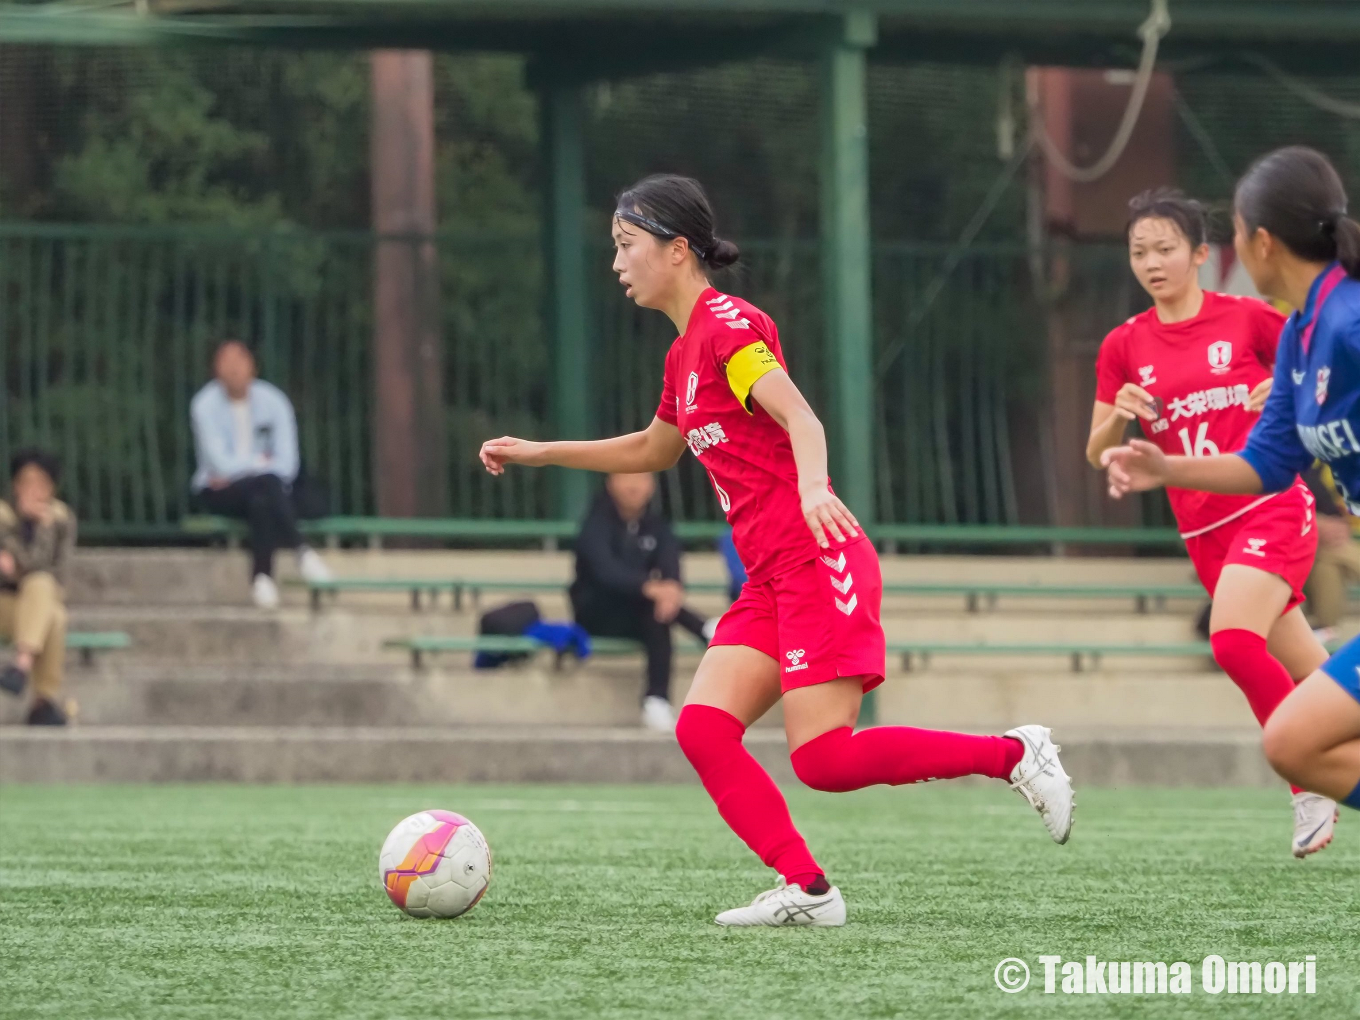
(263, 902)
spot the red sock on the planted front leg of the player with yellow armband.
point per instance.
(745, 794)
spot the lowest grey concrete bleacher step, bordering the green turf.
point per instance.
(194, 754)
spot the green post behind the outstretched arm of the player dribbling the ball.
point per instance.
(564, 146)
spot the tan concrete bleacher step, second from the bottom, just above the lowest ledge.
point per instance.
(954, 694)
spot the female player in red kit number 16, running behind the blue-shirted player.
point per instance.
(1196, 371)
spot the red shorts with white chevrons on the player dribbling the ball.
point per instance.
(818, 621)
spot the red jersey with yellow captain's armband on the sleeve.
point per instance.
(727, 346)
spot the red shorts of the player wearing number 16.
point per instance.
(1278, 537)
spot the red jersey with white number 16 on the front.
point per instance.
(1202, 373)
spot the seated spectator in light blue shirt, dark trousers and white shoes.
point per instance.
(245, 437)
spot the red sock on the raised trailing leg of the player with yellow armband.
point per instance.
(841, 760)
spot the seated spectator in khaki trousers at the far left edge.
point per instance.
(37, 541)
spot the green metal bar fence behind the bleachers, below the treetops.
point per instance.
(107, 334)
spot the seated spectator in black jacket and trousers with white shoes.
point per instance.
(629, 584)
